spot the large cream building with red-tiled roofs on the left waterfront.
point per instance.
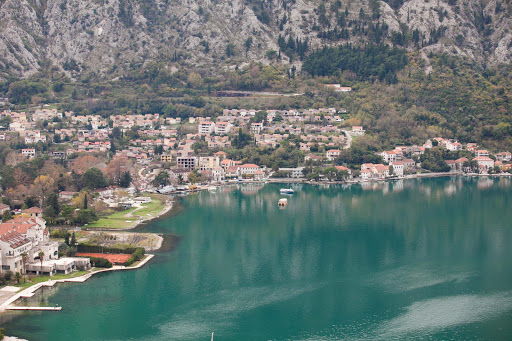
(25, 239)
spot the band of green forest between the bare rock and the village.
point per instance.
(393, 96)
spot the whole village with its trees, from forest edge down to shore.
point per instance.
(78, 168)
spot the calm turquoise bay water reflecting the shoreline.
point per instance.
(419, 259)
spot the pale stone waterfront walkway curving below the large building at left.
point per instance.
(80, 279)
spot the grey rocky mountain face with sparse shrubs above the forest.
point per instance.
(108, 37)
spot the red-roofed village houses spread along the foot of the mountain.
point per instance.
(202, 145)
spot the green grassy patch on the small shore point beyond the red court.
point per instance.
(130, 217)
